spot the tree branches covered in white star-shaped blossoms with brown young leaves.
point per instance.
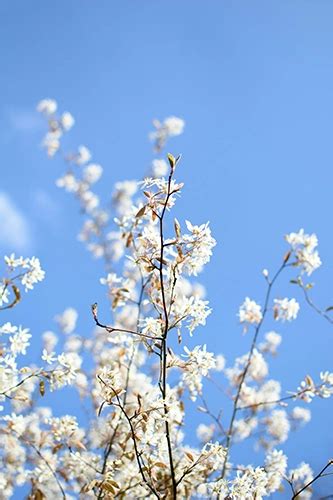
(136, 373)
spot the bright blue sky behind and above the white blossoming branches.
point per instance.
(254, 82)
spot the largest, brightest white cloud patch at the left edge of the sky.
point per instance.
(15, 231)
